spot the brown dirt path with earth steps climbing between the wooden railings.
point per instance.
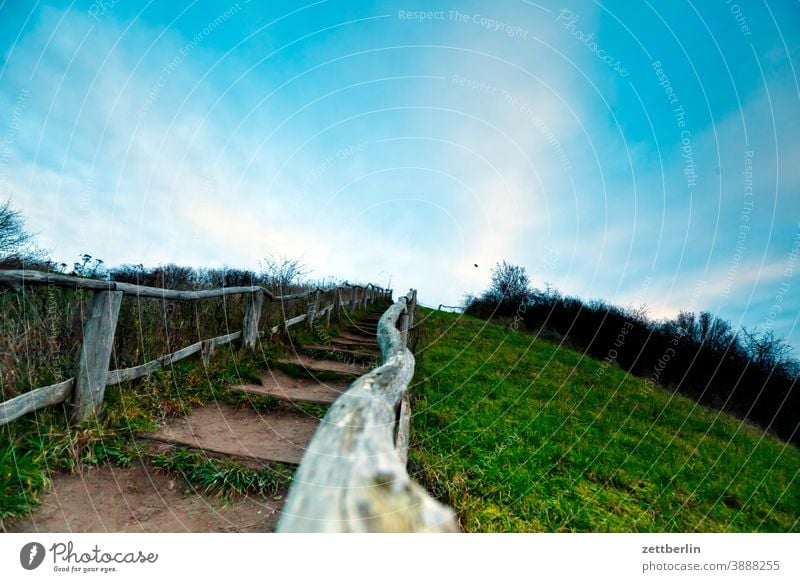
(141, 498)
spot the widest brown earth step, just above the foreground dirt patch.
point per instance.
(241, 433)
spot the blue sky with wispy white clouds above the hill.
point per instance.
(645, 153)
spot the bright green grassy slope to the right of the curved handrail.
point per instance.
(518, 434)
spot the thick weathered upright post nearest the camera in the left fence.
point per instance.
(98, 340)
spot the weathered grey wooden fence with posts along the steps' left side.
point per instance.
(87, 388)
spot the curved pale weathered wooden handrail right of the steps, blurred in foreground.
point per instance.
(352, 477)
